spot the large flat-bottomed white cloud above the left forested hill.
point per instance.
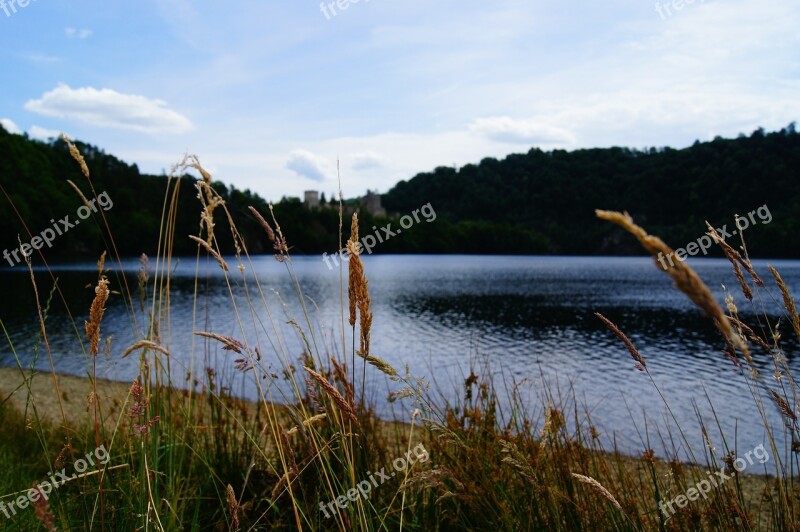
(111, 109)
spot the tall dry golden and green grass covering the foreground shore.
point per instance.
(193, 457)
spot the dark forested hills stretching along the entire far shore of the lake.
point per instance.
(539, 202)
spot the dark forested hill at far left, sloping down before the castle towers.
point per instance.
(34, 189)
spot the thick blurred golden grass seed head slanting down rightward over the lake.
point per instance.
(685, 278)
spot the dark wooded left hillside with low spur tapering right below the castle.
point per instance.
(34, 190)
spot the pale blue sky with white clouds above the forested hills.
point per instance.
(274, 95)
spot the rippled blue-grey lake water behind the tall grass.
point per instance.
(528, 317)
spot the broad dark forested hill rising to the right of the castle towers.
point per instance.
(670, 192)
